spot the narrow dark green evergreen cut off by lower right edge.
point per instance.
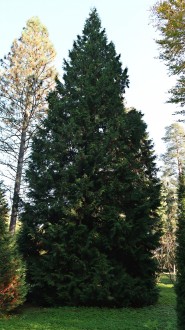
(180, 285)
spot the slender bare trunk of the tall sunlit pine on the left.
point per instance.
(17, 186)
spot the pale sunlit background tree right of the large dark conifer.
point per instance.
(173, 162)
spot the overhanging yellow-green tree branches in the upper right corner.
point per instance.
(169, 20)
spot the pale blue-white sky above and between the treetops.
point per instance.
(127, 24)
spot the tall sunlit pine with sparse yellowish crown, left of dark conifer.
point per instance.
(27, 76)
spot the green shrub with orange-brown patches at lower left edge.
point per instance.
(12, 273)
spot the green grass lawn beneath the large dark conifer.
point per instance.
(161, 316)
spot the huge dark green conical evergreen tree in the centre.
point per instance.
(90, 227)
